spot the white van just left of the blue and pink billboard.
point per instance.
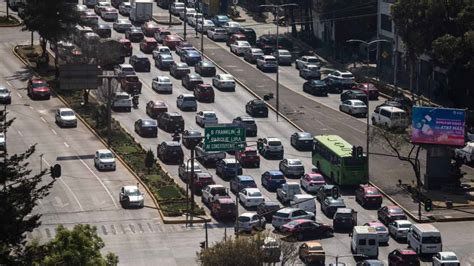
(390, 116)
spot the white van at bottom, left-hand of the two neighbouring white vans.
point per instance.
(365, 241)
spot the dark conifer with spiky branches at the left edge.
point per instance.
(20, 190)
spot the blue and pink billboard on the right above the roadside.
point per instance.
(440, 126)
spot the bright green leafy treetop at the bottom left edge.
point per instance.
(79, 246)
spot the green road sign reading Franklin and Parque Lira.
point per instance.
(224, 137)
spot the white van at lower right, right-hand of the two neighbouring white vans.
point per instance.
(424, 239)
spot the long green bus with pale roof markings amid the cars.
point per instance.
(337, 159)
